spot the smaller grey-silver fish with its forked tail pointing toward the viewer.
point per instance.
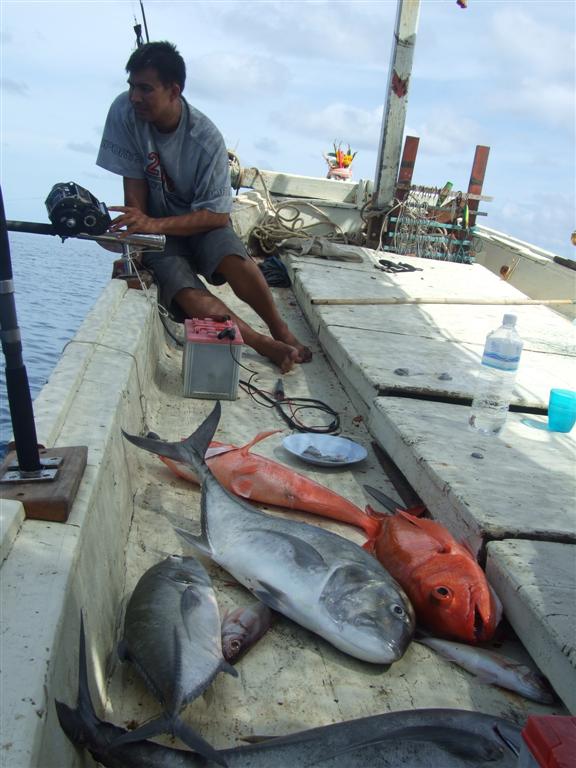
(172, 635)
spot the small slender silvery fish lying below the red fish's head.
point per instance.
(494, 668)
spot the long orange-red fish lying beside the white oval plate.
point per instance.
(260, 479)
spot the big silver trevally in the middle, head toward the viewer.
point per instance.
(322, 581)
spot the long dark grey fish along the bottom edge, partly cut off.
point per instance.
(419, 738)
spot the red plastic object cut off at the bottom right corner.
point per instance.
(552, 740)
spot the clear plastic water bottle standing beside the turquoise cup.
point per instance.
(496, 378)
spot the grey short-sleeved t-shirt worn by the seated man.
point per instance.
(186, 170)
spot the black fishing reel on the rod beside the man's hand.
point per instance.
(73, 210)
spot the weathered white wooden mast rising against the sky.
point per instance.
(394, 116)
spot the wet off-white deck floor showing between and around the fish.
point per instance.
(291, 680)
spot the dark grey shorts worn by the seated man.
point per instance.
(179, 265)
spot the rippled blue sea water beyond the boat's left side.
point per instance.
(56, 284)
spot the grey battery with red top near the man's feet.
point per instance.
(210, 364)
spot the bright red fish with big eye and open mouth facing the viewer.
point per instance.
(445, 584)
